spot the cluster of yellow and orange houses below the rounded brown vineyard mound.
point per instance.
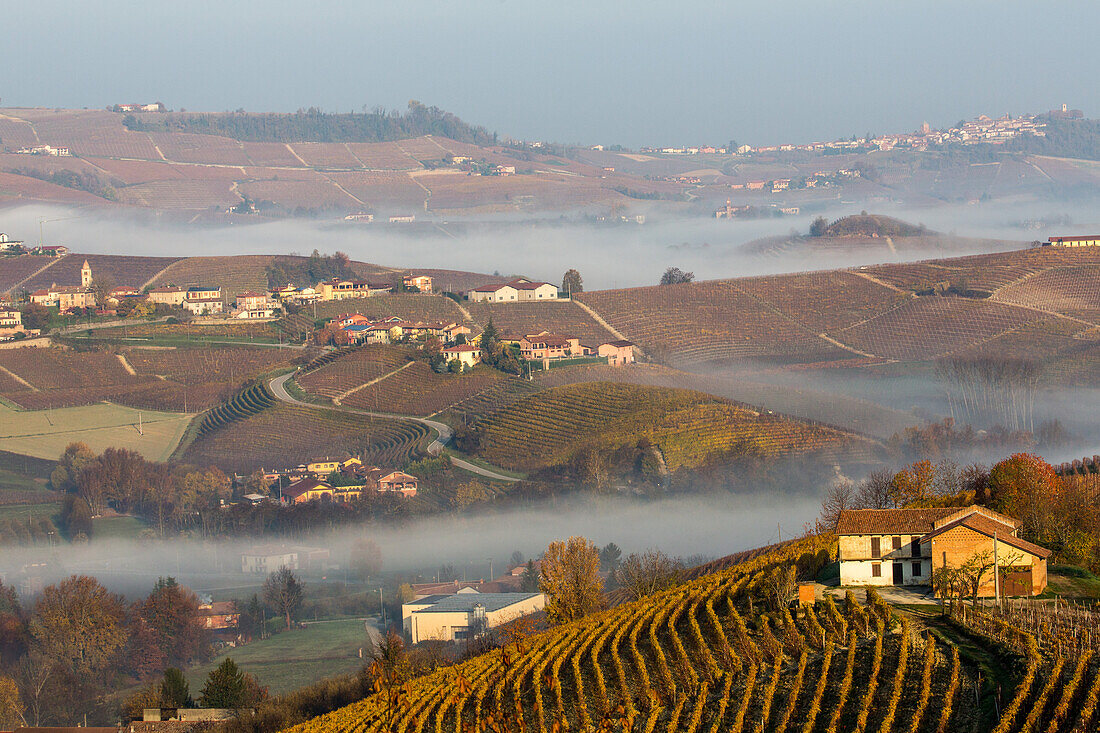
(339, 480)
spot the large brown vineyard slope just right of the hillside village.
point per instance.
(712, 322)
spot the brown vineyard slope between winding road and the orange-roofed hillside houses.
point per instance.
(420, 391)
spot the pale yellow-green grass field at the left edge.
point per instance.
(46, 433)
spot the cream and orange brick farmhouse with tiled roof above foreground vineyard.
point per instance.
(906, 548)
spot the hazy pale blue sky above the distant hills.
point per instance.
(642, 73)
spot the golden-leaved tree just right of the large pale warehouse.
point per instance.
(571, 579)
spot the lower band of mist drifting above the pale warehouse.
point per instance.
(681, 526)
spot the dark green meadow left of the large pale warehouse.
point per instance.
(292, 660)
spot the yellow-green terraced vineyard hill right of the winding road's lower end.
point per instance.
(689, 428)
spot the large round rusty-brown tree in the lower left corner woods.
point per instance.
(80, 625)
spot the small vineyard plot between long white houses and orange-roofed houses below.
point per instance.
(519, 320)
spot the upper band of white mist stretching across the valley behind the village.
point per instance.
(608, 256)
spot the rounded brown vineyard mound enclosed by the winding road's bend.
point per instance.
(289, 435)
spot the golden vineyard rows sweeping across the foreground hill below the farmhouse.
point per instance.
(699, 659)
